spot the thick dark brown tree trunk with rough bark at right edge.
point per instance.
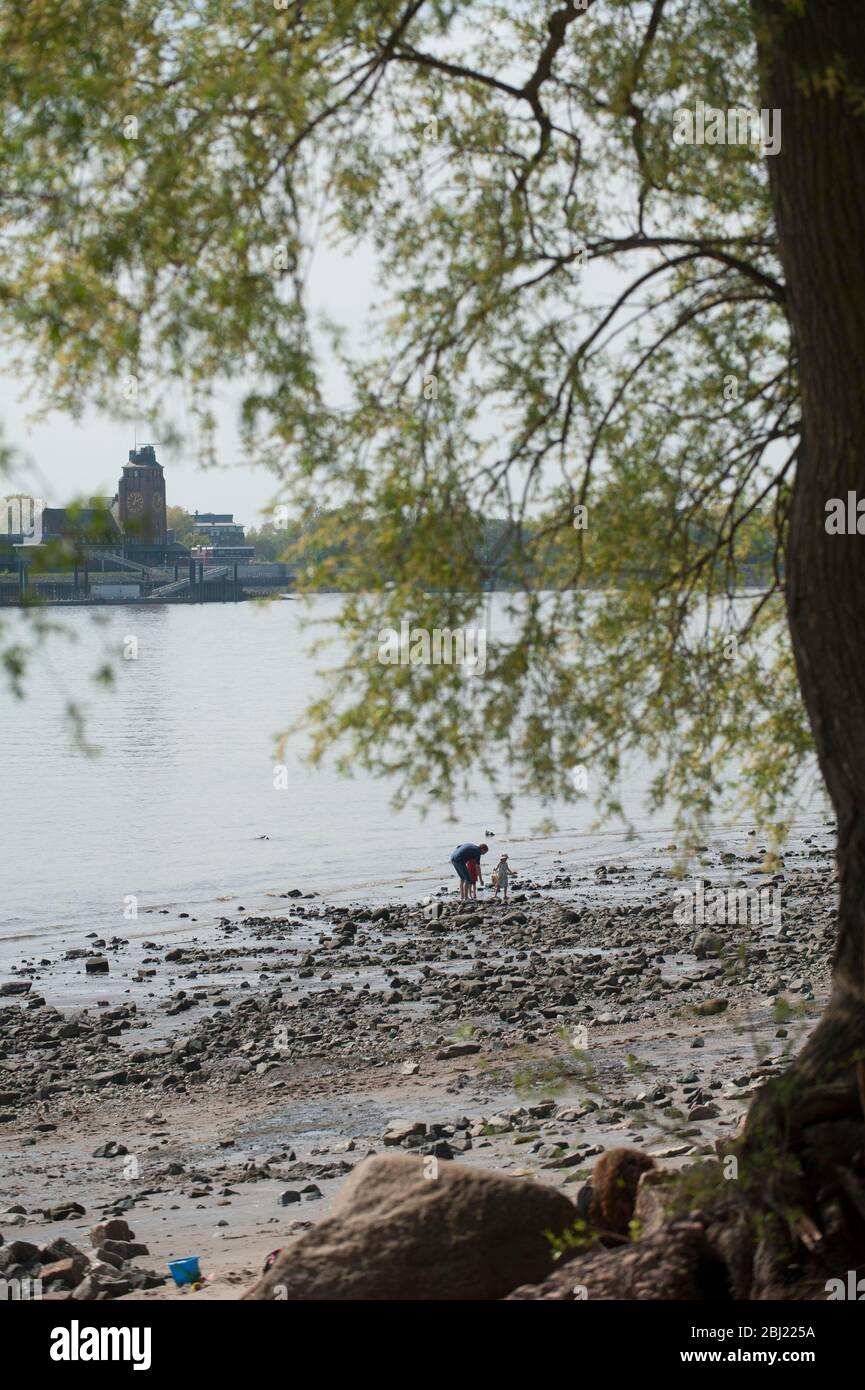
(813, 72)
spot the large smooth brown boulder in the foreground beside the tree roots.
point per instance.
(398, 1235)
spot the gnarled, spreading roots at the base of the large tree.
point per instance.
(793, 1220)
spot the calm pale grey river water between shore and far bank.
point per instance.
(173, 810)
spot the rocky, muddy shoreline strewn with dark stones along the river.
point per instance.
(226, 1081)
